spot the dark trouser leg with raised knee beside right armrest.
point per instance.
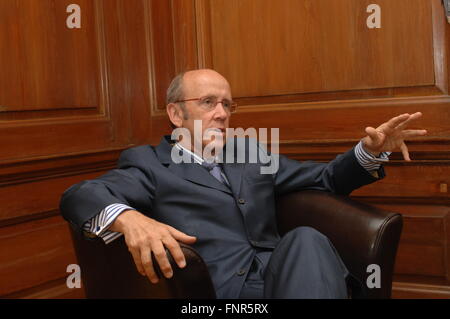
(305, 265)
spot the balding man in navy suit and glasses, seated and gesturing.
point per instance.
(226, 210)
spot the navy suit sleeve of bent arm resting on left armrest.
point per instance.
(129, 185)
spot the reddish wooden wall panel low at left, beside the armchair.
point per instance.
(34, 253)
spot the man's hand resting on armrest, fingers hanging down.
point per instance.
(144, 235)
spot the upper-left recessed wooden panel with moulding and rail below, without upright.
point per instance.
(59, 71)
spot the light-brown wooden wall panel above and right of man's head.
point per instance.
(328, 39)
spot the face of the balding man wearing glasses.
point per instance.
(201, 84)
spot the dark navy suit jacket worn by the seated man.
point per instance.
(230, 225)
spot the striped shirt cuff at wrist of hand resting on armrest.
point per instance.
(98, 225)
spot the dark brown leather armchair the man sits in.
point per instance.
(362, 234)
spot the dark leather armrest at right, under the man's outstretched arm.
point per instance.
(362, 234)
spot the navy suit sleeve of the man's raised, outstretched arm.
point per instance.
(341, 176)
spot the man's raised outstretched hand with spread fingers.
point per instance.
(391, 135)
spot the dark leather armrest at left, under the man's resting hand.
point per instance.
(108, 271)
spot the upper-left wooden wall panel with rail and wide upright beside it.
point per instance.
(90, 81)
